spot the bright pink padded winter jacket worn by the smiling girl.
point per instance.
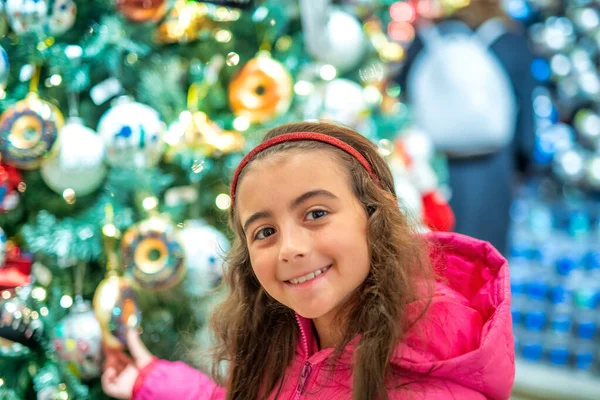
(461, 349)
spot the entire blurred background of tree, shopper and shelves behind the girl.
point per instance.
(122, 121)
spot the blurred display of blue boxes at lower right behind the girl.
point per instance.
(555, 279)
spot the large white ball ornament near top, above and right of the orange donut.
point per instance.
(345, 42)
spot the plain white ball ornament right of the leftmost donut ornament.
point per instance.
(79, 164)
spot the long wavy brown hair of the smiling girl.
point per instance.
(257, 336)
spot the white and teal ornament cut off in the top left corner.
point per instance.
(27, 15)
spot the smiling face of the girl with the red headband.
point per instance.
(305, 229)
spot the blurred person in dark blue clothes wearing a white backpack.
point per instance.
(467, 78)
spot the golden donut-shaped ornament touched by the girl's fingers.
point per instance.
(116, 309)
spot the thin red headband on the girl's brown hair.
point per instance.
(291, 137)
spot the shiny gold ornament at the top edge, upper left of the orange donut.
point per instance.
(185, 23)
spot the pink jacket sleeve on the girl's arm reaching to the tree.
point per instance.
(166, 380)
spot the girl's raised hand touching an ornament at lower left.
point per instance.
(120, 370)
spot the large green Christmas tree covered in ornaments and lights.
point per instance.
(122, 122)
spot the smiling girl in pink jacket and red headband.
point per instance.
(333, 296)
